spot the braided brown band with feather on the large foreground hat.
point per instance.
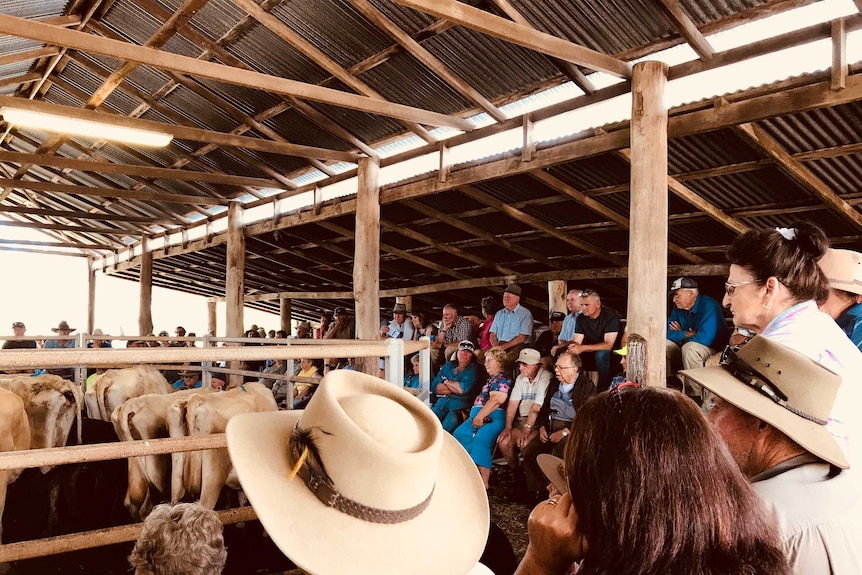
(305, 460)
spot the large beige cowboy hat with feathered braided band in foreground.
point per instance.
(377, 475)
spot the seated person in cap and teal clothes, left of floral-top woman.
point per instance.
(454, 387)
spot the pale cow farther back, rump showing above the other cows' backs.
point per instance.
(111, 389)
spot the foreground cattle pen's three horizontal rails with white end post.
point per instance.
(392, 350)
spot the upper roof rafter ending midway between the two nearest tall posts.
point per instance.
(416, 50)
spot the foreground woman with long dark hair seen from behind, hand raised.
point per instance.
(653, 490)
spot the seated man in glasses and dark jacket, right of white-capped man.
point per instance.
(566, 394)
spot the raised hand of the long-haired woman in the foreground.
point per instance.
(555, 542)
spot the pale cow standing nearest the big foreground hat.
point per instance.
(203, 473)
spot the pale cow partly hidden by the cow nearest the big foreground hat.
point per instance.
(149, 476)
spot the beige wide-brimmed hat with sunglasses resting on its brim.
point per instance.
(782, 387)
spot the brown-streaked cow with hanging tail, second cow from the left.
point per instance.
(52, 405)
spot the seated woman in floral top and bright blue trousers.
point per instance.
(478, 434)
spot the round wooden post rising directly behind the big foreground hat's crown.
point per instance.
(366, 262)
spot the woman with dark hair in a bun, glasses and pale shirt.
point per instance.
(773, 287)
